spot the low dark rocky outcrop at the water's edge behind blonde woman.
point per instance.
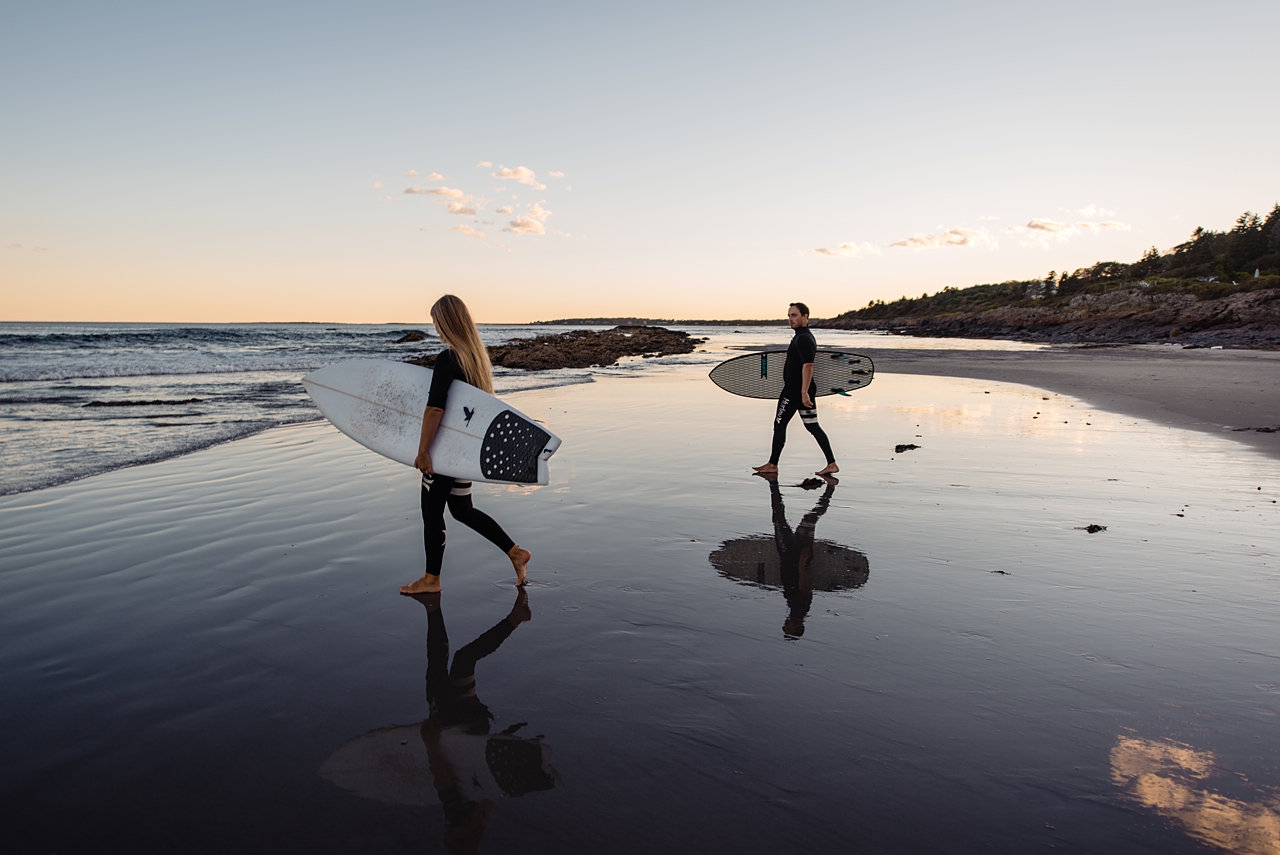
(584, 349)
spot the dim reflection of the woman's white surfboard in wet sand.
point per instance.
(392, 765)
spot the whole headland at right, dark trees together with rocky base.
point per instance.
(1217, 287)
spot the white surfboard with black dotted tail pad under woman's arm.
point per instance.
(380, 404)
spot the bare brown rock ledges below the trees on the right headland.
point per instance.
(1131, 317)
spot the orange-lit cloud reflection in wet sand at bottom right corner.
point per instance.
(1168, 776)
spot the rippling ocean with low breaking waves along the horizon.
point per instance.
(77, 400)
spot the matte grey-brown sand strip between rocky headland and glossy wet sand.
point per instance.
(1201, 390)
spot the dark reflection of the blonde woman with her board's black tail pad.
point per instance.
(472, 769)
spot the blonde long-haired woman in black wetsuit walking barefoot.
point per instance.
(464, 359)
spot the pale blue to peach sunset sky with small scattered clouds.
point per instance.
(310, 162)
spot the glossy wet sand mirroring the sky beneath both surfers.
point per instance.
(208, 653)
